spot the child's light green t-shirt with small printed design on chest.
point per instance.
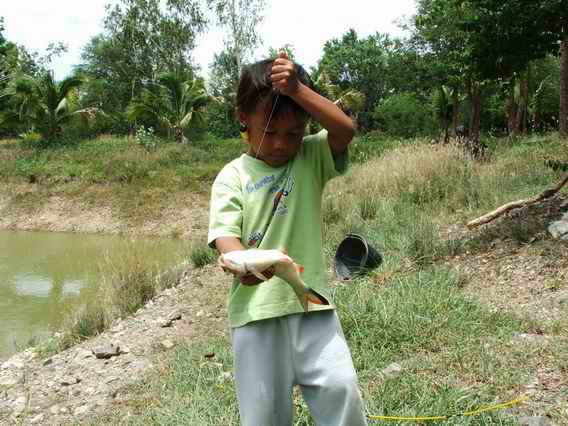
(280, 208)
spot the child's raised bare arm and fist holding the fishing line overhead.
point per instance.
(339, 126)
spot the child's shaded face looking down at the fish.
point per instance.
(283, 137)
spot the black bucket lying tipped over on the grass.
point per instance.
(355, 256)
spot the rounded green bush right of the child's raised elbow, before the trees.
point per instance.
(404, 115)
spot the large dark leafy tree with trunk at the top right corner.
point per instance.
(489, 39)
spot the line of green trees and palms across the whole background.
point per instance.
(498, 72)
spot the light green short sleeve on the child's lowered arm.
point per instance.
(226, 211)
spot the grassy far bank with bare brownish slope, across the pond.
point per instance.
(118, 173)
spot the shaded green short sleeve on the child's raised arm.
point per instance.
(318, 152)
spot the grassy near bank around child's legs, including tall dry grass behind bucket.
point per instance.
(456, 353)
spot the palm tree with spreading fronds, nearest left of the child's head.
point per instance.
(177, 104)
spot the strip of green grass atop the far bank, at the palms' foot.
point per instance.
(119, 161)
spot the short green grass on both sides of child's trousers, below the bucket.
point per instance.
(455, 354)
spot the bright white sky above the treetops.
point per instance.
(304, 24)
